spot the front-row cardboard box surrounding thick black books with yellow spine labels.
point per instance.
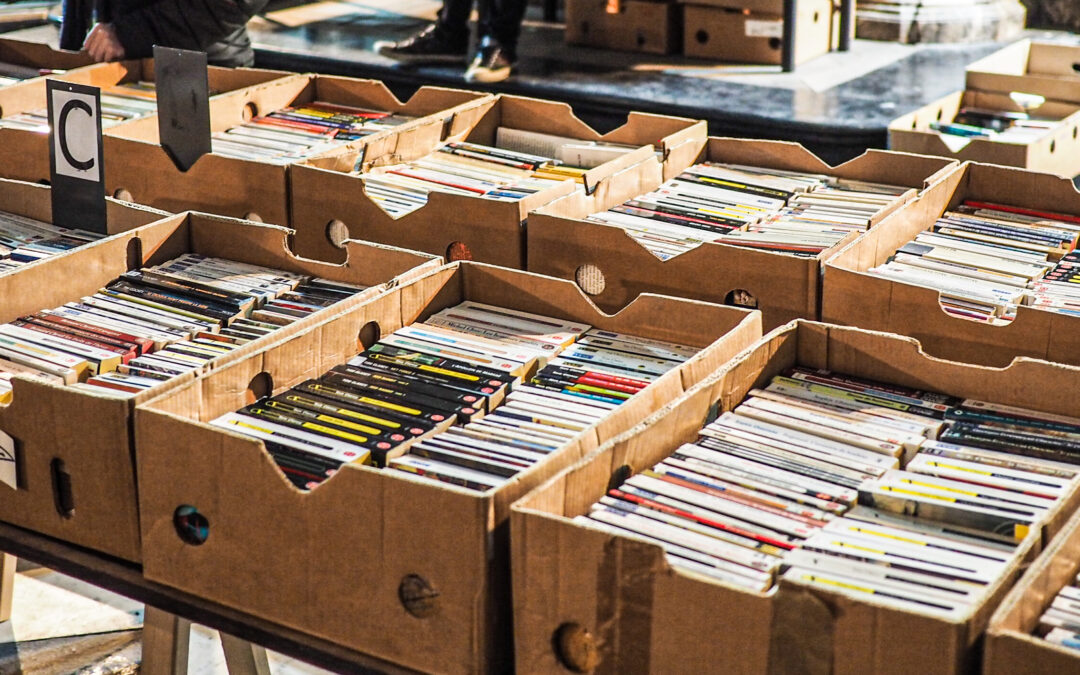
(404, 569)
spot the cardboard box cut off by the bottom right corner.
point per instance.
(1011, 646)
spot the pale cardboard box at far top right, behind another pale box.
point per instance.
(1042, 69)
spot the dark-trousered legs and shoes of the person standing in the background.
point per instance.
(448, 39)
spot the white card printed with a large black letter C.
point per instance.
(75, 139)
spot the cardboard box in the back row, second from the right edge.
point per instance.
(615, 268)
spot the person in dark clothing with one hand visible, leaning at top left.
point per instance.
(130, 29)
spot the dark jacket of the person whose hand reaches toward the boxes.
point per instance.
(212, 26)
